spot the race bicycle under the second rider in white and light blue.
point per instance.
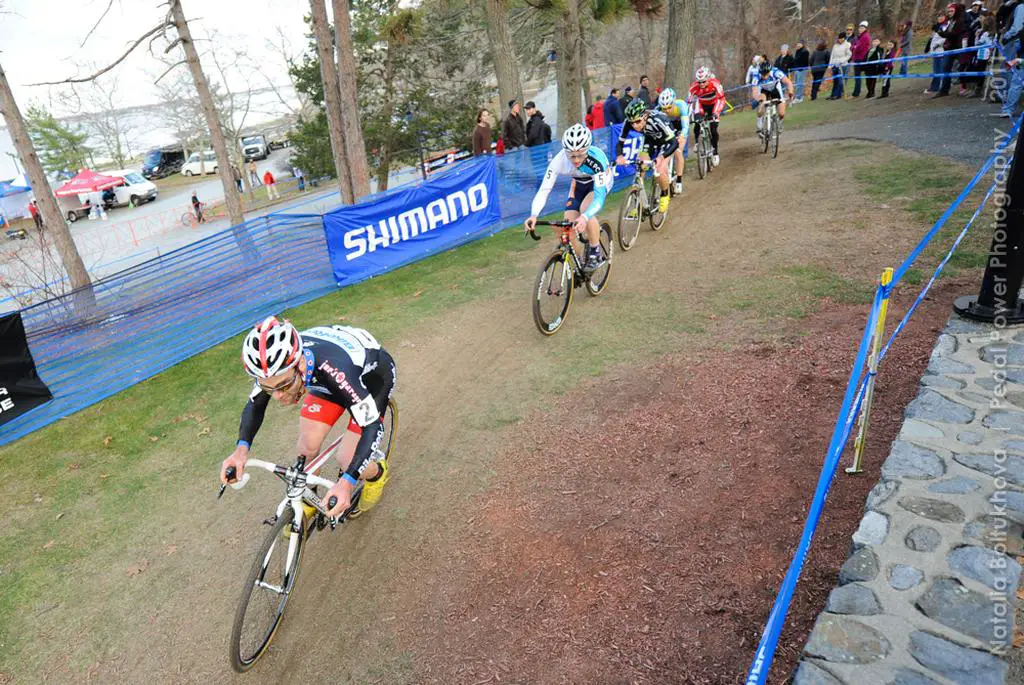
(563, 273)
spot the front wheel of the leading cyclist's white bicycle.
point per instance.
(266, 593)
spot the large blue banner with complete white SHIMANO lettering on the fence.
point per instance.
(412, 224)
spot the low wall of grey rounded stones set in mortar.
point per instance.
(929, 593)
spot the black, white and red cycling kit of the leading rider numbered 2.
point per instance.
(346, 370)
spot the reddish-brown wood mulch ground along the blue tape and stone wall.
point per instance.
(639, 531)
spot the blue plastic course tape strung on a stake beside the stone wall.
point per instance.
(852, 399)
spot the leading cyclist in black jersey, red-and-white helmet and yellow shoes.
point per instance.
(336, 368)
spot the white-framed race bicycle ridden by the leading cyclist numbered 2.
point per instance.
(272, 580)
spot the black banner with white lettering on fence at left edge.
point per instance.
(21, 388)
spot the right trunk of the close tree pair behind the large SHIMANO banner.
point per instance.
(356, 147)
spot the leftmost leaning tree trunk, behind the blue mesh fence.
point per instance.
(53, 218)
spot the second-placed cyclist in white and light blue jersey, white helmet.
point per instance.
(592, 180)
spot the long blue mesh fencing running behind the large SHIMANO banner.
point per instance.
(162, 312)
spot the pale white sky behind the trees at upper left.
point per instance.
(41, 39)
